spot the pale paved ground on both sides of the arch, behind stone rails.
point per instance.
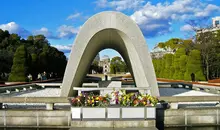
(55, 92)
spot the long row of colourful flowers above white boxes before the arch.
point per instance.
(116, 97)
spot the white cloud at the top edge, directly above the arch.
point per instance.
(120, 5)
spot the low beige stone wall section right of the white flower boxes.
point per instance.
(188, 117)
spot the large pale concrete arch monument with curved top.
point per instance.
(109, 30)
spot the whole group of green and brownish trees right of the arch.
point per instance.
(184, 57)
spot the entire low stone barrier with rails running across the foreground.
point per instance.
(62, 118)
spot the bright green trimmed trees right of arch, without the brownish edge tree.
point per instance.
(185, 60)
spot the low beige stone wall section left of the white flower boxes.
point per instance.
(34, 118)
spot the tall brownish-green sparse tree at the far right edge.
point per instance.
(209, 45)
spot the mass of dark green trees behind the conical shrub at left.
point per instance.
(40, 55)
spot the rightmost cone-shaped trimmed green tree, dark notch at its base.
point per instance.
(194, 66)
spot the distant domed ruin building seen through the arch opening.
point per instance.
(105, 63)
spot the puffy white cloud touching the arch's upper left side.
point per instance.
(67, 31)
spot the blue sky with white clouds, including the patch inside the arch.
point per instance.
(60, 20)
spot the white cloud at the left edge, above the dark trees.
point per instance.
(12, 27)
